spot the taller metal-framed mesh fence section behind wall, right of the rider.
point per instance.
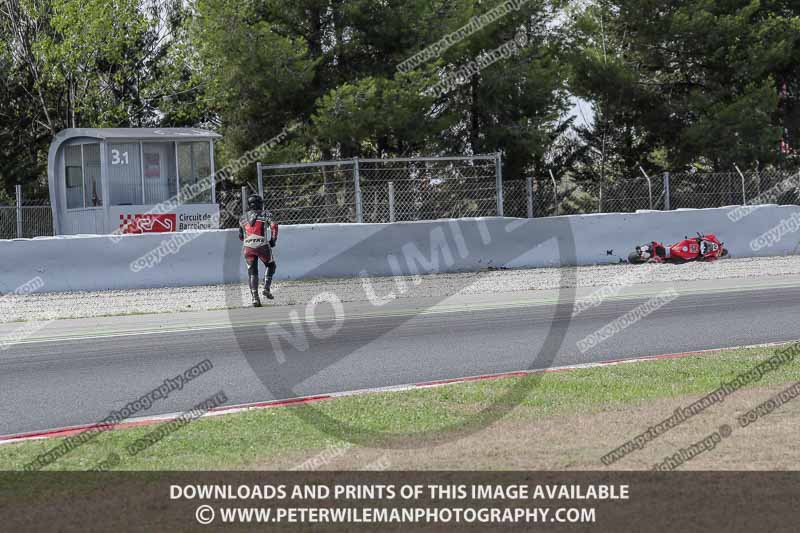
(383, 190)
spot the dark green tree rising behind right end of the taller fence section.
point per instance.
(516, 104)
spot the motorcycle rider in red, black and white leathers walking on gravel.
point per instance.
(259, 235)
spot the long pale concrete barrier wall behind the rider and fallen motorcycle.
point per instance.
(72, 263)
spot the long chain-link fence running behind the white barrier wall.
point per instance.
(395, 190)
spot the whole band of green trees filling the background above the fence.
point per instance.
(666, 84)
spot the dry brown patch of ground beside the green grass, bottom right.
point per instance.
(578, 441)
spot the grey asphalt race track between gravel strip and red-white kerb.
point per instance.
(76, 371)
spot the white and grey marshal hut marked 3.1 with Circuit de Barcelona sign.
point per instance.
(107, 179)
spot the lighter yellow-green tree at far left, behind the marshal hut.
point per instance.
(86, 63)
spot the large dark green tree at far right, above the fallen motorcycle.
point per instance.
(698, 79)
